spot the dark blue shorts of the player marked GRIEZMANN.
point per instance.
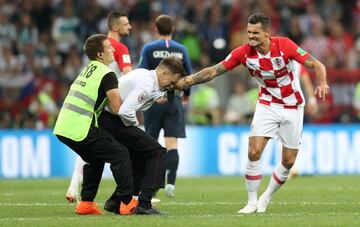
(168, 116)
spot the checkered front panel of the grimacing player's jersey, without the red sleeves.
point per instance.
(273, 72)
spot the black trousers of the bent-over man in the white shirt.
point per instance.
(147, 155)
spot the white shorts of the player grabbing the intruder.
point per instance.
(286, 124)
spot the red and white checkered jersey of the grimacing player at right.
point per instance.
(273, 71)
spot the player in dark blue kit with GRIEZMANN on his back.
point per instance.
(168, 116)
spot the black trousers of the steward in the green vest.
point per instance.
(98, 148)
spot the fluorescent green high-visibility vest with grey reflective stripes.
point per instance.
(78, 109)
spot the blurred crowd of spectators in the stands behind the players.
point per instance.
(41, 51)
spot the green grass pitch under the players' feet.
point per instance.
(205, 201)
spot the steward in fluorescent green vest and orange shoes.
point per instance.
(77, 127)
